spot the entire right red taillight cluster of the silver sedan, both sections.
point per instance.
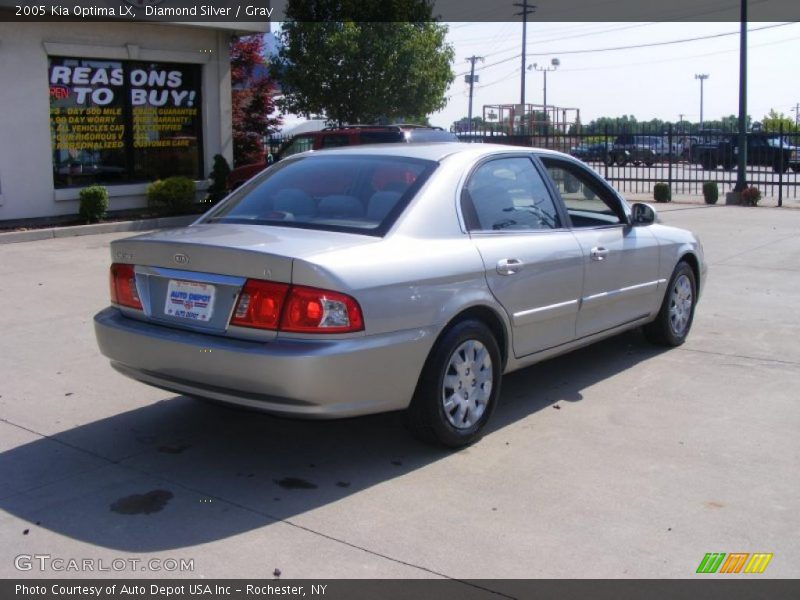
(295, 309)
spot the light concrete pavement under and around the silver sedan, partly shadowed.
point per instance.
(618, 460)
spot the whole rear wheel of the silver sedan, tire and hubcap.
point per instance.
(458, 389)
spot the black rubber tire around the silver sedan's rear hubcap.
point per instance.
(427, 416)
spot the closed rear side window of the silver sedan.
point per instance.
(508, 194)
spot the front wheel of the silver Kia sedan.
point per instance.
(672, 324)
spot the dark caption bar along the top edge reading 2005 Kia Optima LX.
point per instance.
(233, 11)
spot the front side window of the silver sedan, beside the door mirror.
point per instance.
(589, 203)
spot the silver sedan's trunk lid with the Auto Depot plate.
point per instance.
(192, 277)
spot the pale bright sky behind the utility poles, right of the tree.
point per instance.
(646, 82)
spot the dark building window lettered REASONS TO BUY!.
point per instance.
(123, 121)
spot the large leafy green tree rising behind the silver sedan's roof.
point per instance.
(392, 63)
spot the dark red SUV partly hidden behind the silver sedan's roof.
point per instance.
(349, 135)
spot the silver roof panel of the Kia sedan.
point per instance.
(435, 151)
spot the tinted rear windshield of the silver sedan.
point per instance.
(356, 193)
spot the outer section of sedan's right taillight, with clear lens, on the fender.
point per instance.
(311, 310)
